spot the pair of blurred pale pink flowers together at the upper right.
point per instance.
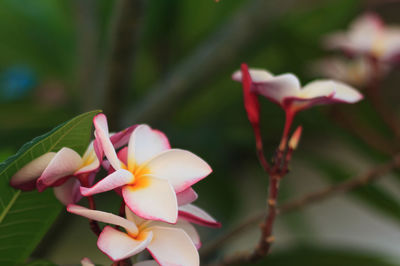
(372, 47)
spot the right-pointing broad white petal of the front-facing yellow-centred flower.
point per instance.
(181, 168)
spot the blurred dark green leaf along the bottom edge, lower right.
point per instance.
(312, 256)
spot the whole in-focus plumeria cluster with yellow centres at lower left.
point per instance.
(154, 181)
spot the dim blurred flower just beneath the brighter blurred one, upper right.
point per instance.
(357, 72)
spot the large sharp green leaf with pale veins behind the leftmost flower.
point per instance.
(26, 216)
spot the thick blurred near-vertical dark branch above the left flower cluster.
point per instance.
(123, 39)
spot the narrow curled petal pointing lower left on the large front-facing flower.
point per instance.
(116, 179)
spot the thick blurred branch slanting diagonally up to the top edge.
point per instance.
(223, 49)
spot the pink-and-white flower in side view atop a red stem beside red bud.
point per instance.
(286, 91)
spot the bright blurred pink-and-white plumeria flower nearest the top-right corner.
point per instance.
(368, 35)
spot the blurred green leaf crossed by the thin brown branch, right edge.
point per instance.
(370, 194)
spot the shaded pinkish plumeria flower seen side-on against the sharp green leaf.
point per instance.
(56, 169)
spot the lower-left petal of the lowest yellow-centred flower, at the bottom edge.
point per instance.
(118, 245)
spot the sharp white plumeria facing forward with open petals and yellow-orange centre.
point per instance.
(151, 175)
